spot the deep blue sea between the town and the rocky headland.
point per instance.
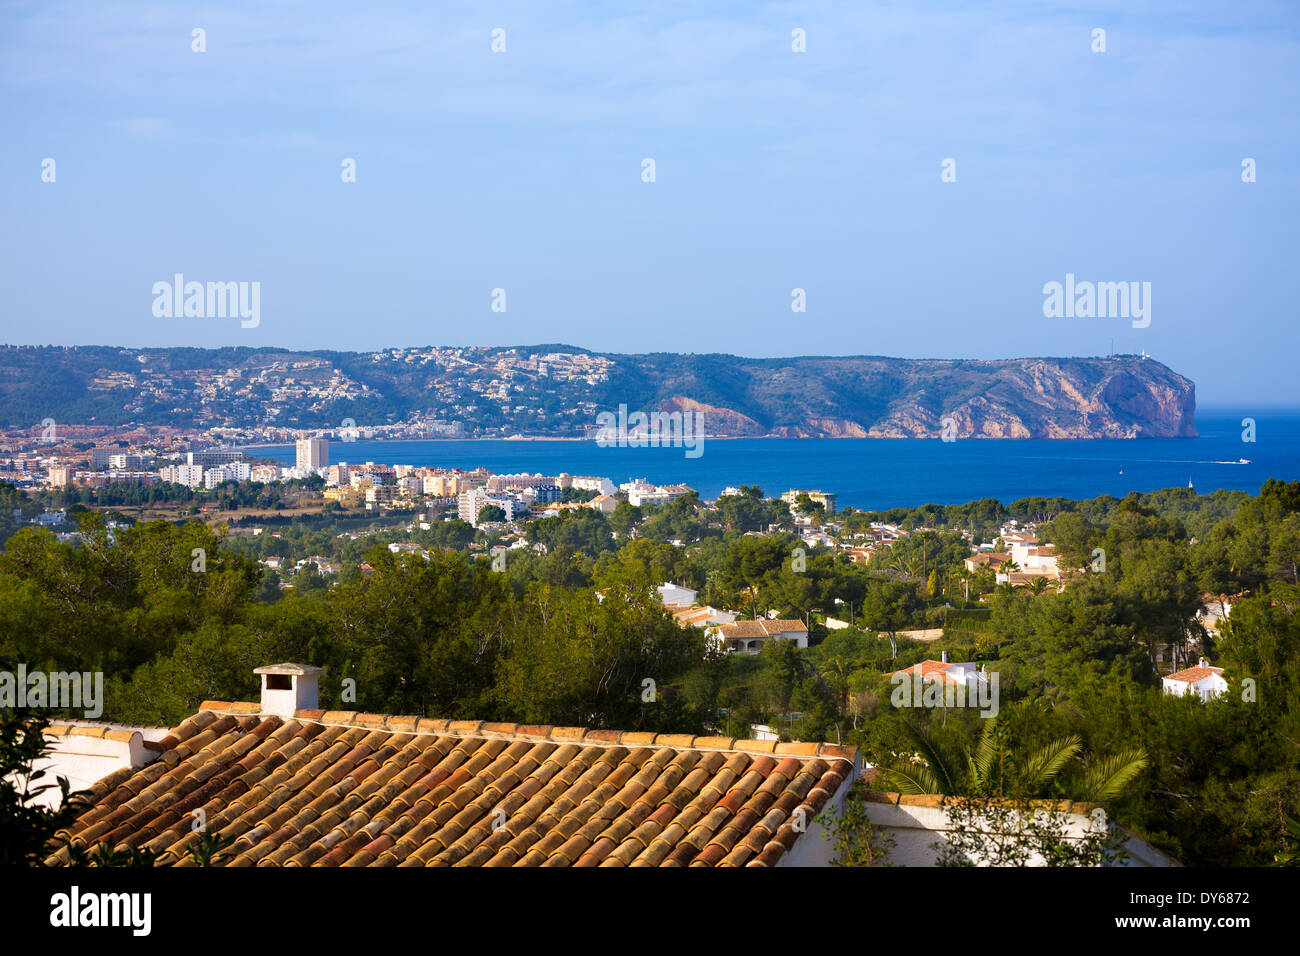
(885, 473)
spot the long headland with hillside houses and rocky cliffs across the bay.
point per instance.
(558, 391)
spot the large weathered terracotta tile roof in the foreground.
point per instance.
(340, 789)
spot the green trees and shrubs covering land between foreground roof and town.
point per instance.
(448, 637)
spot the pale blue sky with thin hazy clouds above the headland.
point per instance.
(774, 171)
